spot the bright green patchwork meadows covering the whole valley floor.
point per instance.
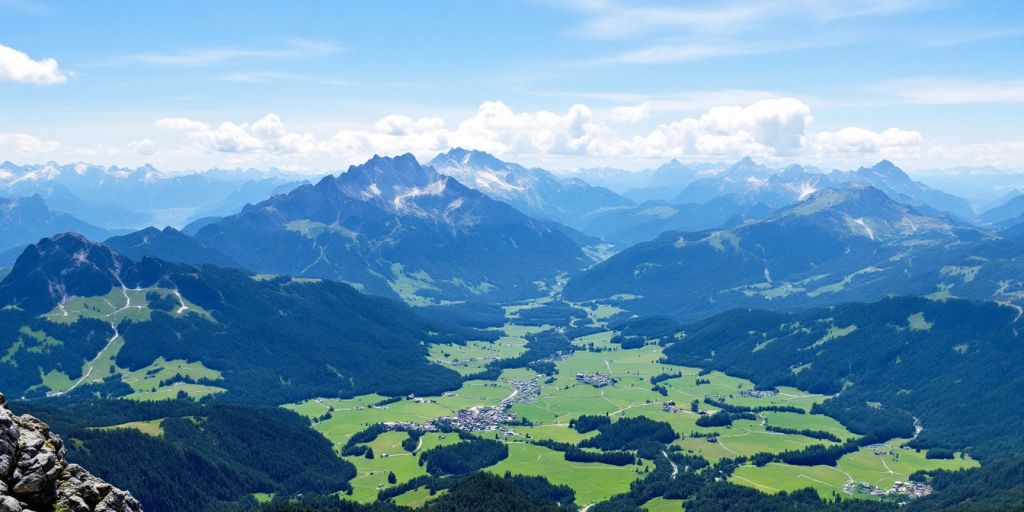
(563, 398)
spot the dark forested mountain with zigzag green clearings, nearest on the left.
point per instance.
(74, 314)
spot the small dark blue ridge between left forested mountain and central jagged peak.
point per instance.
(169, 245)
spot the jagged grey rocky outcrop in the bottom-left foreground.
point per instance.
(35, 477)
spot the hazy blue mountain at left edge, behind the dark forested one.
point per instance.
(24, 221)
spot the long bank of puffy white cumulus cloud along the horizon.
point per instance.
(777, 130)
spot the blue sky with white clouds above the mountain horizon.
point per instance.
(318, 87)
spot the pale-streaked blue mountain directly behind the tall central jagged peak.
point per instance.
(534, 192)
